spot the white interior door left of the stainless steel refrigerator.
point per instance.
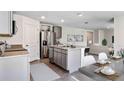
(31, 40)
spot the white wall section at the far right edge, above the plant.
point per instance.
(119, 32)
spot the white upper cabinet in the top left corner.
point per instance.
(5, 22)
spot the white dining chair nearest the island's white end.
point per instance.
(87, 60)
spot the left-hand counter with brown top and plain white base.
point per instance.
(15, 66)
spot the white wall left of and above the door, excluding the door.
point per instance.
(18, 38)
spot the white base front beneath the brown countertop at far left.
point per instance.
(14, 69)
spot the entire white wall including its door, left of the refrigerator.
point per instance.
(27, 34)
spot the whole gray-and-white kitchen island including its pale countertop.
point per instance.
(66, 57)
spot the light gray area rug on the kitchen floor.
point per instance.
(41, 72)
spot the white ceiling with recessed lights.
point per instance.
(95, 19)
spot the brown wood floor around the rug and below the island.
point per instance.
(65, 75)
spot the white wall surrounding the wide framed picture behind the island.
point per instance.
(73, 31)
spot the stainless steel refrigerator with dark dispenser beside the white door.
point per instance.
(47, 38)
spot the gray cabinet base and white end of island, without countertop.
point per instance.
(69, 59)
